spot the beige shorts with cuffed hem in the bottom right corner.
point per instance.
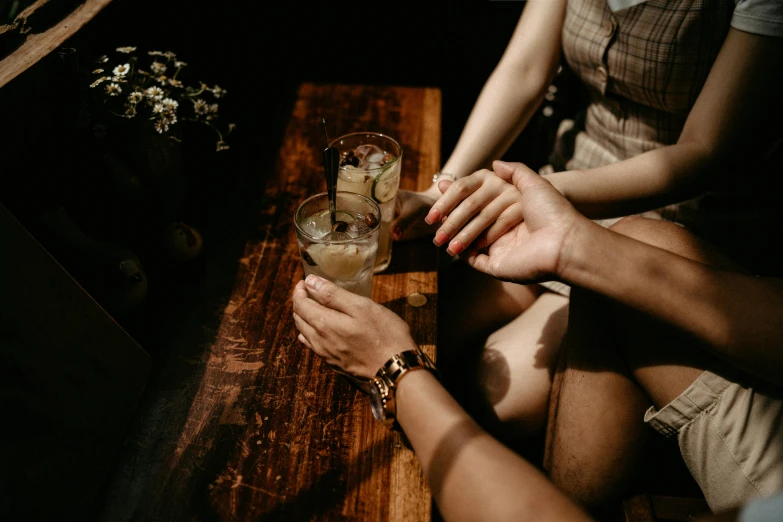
(730, 433)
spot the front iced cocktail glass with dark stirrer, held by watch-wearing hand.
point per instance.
(346, 262)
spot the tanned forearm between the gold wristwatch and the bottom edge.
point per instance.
(472, 476)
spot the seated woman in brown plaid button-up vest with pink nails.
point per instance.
(679, 124)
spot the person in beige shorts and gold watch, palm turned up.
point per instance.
(642, 290)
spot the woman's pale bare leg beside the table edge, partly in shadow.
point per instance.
(498, 347)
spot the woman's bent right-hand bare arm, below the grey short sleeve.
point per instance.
(724, 126)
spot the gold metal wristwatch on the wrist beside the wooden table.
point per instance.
(383, 385)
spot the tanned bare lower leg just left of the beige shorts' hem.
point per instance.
(597, 431)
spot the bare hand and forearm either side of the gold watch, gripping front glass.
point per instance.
(472, 475)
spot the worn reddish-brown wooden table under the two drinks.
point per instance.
(255, 426)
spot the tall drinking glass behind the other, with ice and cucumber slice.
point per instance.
(370, 164)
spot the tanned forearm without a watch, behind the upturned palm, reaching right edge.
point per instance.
(735, 316)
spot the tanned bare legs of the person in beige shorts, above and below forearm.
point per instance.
(616, 364)
